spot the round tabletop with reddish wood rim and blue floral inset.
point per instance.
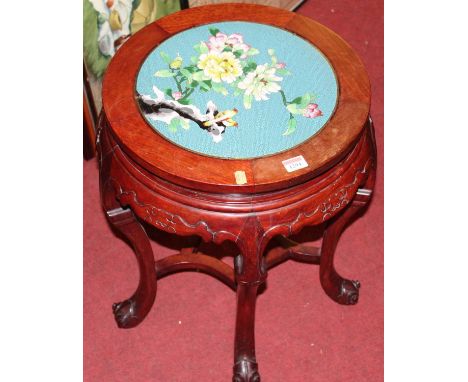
(237, 98)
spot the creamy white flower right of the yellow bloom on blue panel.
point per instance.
(260, 82)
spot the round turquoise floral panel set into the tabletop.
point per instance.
(236, 90)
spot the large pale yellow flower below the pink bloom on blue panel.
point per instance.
(220, 66)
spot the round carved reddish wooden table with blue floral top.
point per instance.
(261, 170)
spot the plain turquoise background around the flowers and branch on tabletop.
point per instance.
(260, 129)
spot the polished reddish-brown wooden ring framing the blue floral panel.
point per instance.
(190, 169)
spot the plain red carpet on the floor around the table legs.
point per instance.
(301, 335)
